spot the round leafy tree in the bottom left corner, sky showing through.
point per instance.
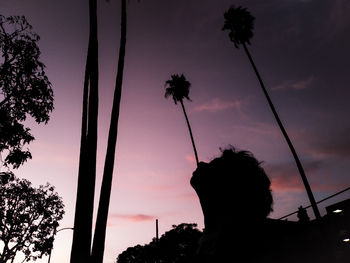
(28, 218)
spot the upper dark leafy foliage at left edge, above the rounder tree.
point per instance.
(24, 88)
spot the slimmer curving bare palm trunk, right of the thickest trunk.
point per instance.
(102, 214)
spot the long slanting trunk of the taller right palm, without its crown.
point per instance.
(291, 147)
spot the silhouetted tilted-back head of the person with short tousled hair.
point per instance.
(234, 184)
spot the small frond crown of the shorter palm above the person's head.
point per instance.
(177, 87)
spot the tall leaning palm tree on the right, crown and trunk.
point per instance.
(240, 24)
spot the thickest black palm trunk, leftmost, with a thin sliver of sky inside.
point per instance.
(87, 163)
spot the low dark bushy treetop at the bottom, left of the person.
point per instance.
(176, 245)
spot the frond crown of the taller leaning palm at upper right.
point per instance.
(240, 23)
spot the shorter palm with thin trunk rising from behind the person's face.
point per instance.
(178, 88)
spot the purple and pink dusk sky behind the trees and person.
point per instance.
(301, 50)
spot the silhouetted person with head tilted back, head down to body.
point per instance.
(235, 196)
